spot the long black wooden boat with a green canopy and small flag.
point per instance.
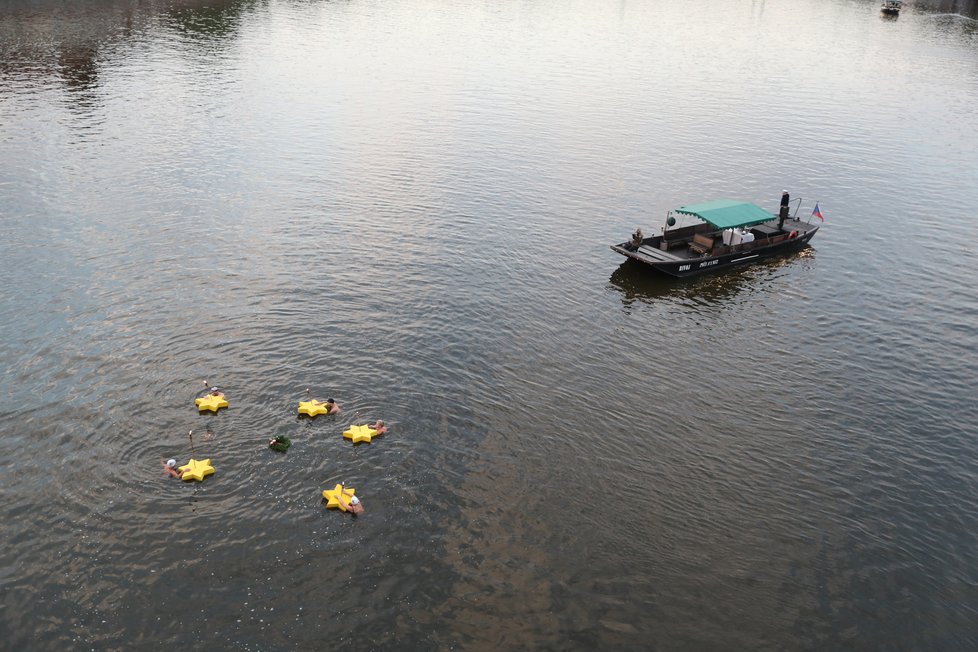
(723, 233)
